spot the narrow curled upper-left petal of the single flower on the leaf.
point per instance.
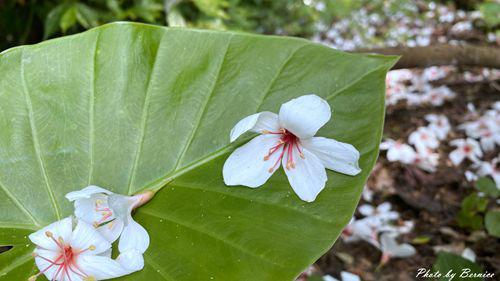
(256, 123)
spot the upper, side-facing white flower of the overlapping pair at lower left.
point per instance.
(111, 215)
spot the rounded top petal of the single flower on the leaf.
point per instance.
(305, 115)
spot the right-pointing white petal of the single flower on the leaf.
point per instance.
(338, 156)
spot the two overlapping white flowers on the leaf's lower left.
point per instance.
(83, 252)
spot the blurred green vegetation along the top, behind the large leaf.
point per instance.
(30, 21)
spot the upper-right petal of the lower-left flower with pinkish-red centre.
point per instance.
(85, 236)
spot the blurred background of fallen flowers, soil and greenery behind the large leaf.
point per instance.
(432, 201)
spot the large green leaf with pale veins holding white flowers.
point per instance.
(132, 107)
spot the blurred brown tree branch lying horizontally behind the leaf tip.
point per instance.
(444, 54)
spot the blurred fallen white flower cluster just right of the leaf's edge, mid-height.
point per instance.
(425, 139)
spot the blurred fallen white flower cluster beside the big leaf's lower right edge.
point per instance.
(378, 228)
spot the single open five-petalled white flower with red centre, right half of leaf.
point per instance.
(288, 139)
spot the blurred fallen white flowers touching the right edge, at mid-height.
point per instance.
(483, 135)
